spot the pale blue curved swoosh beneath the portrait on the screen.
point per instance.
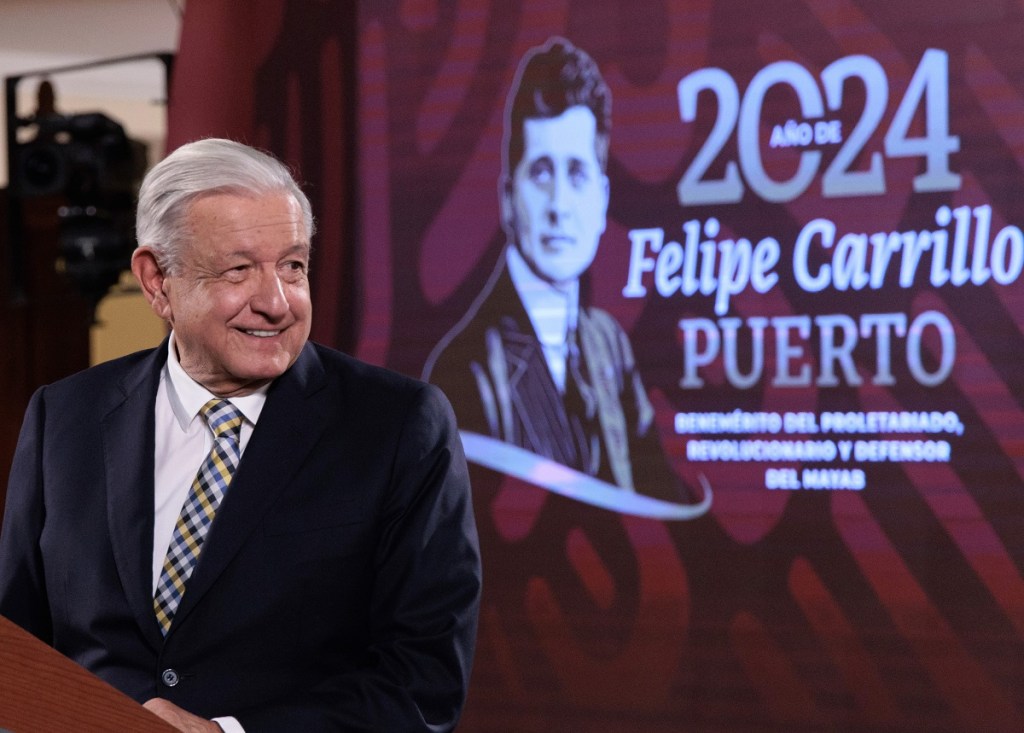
(556, 478)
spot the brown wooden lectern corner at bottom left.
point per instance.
(42, 692)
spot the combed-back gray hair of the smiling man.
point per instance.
(198, 169)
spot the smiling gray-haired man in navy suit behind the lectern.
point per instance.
(337, 584)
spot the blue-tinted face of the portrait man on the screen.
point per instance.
(559, 196)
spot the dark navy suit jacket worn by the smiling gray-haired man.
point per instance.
(338, 588)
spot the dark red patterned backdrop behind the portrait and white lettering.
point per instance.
(898, 609)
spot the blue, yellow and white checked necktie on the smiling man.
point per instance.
(200, 508)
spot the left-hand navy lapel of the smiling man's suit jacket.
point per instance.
(129, 459)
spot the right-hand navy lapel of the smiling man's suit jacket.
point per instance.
(289, 426)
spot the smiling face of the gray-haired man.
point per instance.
(240, 305)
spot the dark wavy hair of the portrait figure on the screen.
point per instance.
(550, 80)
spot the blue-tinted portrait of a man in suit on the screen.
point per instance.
(530, 364)
